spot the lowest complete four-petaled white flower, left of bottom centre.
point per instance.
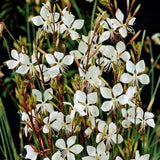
(67, 151)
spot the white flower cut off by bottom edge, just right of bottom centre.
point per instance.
(96, 154)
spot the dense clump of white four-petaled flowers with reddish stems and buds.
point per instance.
(66, 117)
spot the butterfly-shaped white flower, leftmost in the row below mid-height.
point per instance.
(43, 106)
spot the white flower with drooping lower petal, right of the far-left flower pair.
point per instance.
(59, 61)
